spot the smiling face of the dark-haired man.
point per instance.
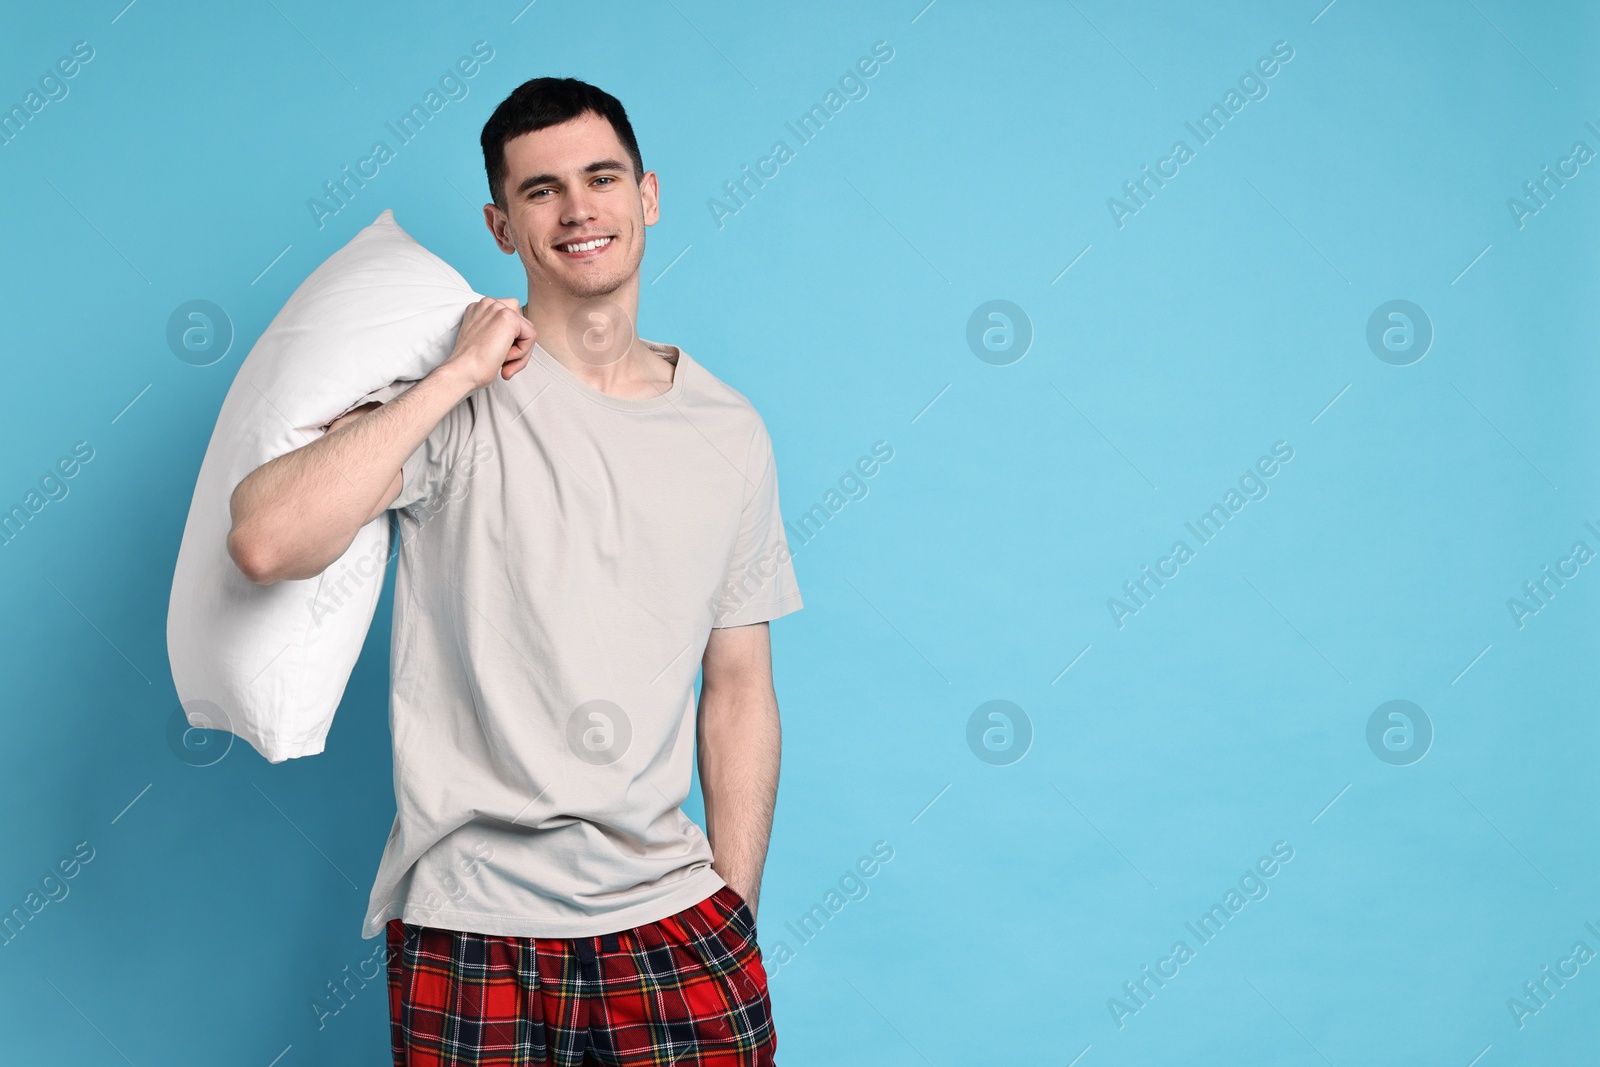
(574, 185)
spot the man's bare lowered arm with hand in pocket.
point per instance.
(740, 741)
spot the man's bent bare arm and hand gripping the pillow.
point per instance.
(297, 514)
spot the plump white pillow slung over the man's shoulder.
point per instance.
(270, 663)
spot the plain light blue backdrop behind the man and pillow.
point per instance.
(1226, 316)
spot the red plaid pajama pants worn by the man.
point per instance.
(687, 991)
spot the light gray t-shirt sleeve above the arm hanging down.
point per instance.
(761, 585)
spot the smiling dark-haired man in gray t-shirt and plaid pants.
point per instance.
(585, 516)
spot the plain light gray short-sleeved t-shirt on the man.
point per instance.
(564, 557)
